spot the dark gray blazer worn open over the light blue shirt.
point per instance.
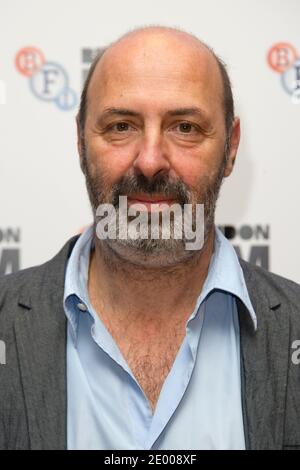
(33, 392)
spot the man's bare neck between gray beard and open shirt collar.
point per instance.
(129, 291)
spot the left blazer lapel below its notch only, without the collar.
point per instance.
(42, 358)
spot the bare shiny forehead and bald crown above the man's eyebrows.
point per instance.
(153, 71)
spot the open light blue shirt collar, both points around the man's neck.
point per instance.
(225, 273)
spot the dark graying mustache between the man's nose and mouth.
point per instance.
(159, 185)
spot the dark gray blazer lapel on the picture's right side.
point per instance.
(264, 356)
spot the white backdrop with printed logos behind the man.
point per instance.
(42, 191)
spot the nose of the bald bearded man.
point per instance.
(152, 155)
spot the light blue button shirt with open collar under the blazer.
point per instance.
(199, 406)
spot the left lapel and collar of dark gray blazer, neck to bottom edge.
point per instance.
(40, 329)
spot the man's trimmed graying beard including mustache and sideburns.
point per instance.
(148, 251)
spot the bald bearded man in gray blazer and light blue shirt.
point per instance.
(139, 343)
